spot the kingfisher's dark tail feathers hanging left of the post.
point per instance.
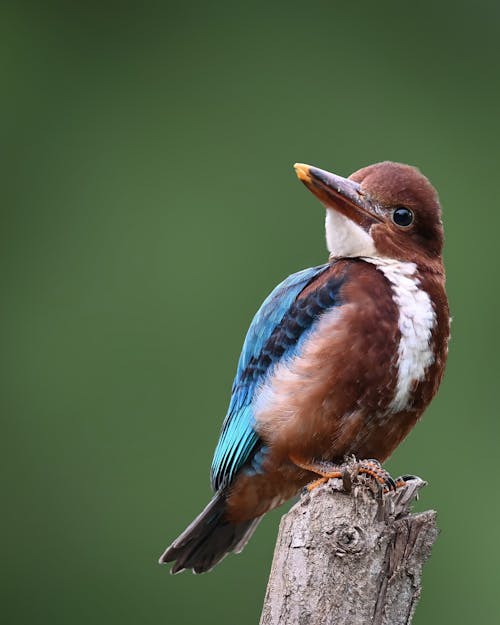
(208, 539)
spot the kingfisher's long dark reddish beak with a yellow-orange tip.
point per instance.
(341, 194)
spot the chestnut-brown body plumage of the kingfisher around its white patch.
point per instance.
(335, 398)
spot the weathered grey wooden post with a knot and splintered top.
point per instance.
(349, 559)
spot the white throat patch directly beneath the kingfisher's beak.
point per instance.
(344, 238)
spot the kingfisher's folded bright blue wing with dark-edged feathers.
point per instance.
(267, 341)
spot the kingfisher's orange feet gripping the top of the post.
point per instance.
(371, 468)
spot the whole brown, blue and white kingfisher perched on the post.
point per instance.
(340, 360)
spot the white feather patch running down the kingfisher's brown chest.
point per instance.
(416, 322)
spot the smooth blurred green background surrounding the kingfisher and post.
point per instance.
(149, 205)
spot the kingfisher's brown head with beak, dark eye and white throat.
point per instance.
(385, 210)
